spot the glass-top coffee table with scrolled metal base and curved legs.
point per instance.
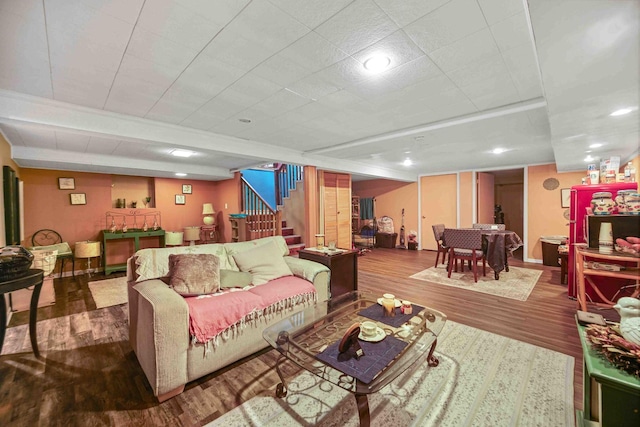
(301, 337)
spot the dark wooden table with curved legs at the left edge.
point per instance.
(33, 278)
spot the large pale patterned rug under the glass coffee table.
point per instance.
(483, 379)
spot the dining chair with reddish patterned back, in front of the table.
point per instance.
(465, 244)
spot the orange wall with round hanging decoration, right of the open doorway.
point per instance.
(545, 213)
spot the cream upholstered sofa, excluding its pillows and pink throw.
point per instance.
(159, 317)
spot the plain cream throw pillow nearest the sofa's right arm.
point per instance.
(264, 262)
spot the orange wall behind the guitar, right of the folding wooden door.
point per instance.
(390, 198)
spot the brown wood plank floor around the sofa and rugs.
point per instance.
(92, 377)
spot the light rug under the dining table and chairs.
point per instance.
(516, 284)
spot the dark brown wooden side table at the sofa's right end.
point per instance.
(343, 266)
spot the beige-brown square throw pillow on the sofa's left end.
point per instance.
(194, 274)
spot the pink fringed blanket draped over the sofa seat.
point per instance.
(215, 315)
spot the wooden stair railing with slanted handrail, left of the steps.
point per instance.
(262, 220)
